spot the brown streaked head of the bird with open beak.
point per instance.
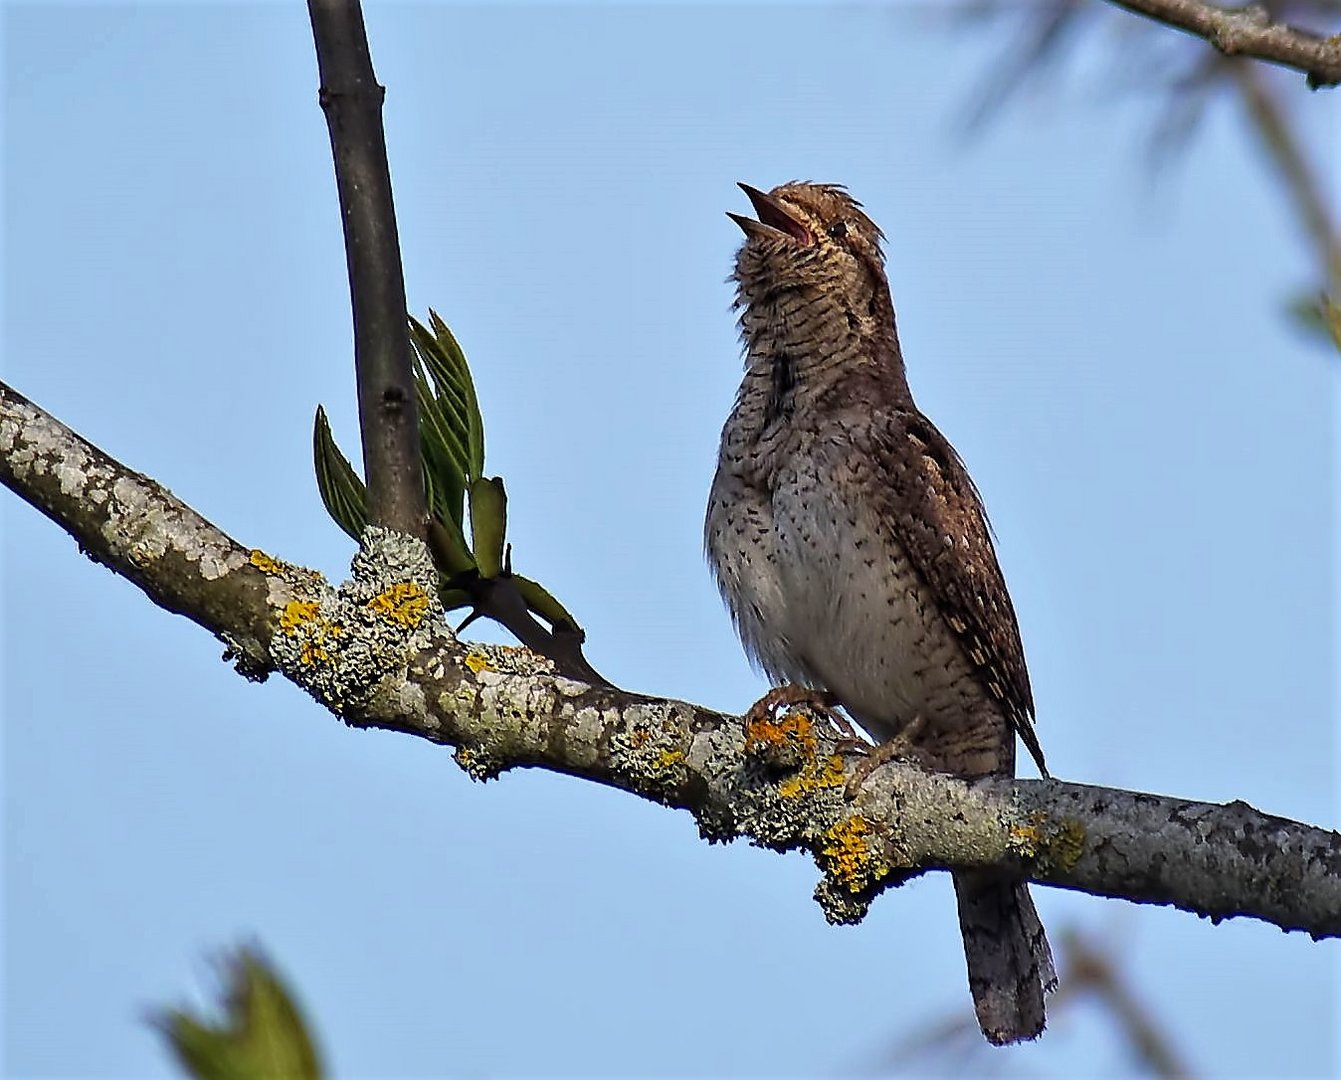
(809, 235)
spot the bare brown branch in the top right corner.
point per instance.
(1249, 32)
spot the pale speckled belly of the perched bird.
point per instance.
(860, 620)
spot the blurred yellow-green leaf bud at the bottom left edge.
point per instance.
(261, 1034)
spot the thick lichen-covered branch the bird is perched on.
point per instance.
(377, 653)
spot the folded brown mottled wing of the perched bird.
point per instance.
(942, 525)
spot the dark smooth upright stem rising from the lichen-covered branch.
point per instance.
(388, 415)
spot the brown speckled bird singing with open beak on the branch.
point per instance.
(855, 555)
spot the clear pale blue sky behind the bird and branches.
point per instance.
(1155, 445)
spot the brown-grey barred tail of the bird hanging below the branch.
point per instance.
(1010, 967)
